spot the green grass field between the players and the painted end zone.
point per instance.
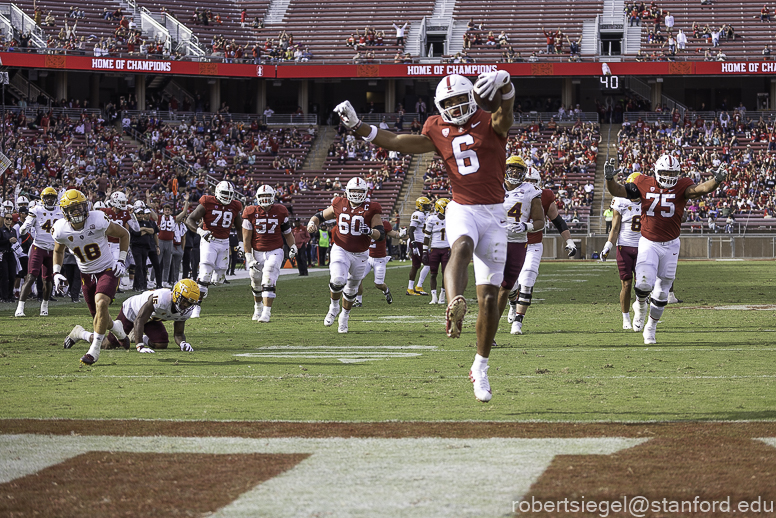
(574, 363)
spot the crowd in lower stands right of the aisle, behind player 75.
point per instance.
(732, 138)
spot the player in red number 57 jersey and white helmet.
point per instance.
(264, 229)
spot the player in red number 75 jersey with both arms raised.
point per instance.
(663, 198)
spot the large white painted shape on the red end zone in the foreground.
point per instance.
(375, 478)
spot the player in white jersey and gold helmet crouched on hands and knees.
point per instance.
(146, 313)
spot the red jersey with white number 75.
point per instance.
(661, 209)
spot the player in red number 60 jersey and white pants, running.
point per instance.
(358, 222)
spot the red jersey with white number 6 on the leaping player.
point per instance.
(475, 157)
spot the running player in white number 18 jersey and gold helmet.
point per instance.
(86, 233)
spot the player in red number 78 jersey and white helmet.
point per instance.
(218, 213)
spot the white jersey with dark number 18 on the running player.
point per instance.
(89, 245)
